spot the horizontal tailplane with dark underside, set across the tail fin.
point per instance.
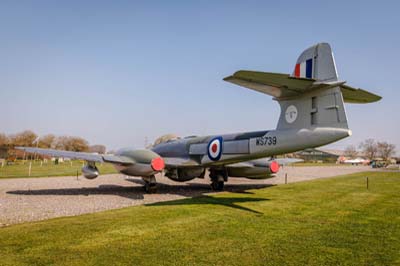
(283, 85)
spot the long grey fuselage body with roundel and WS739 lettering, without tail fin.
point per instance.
(233, 148)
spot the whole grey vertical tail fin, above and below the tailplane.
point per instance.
(316, 108)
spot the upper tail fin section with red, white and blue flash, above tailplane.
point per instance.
(316, 62)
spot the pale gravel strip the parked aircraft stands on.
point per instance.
(33, 199)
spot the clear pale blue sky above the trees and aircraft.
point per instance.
(116, 72)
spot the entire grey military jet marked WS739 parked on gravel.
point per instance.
(312, 114)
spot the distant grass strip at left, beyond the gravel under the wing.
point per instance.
(49, 169)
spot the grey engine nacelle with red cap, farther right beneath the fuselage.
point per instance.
(257, 169)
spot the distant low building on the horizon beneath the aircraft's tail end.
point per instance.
(316, 155)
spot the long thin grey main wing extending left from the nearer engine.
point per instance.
(90, 157)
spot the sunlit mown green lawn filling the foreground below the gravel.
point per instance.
(333, 221)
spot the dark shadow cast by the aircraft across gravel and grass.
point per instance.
(193, 190)
